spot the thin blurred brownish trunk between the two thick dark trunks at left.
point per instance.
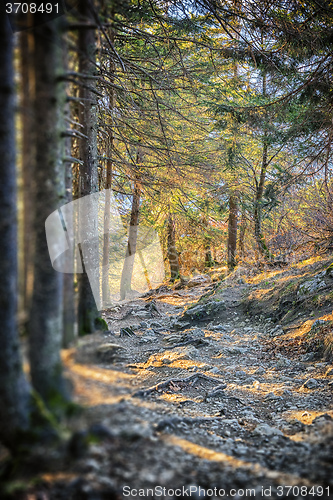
(27, 169)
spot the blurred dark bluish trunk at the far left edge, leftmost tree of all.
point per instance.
(14, 389)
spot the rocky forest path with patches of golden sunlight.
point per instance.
(194, 399)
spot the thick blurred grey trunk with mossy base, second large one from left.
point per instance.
(45, 325)
